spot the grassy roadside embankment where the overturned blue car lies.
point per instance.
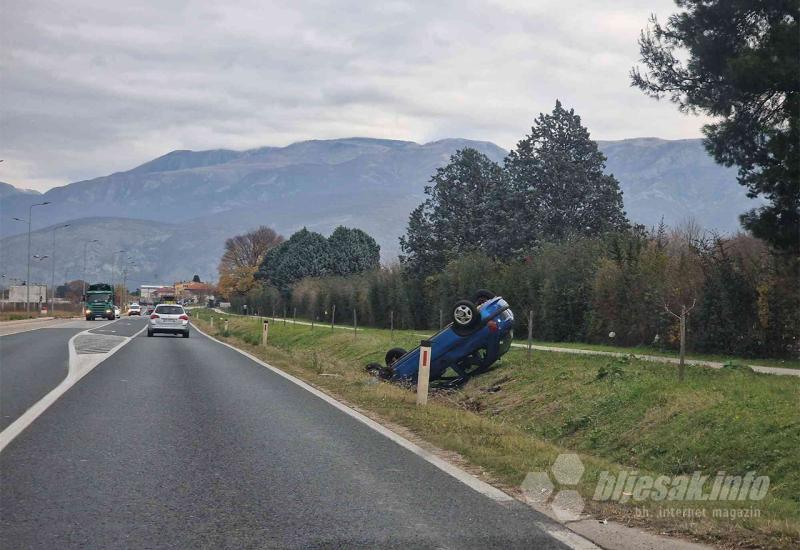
(517, 418)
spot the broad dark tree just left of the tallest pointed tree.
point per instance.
(450, 222)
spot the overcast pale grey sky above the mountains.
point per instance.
(92, 87)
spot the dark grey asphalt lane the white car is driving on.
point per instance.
(176, 443)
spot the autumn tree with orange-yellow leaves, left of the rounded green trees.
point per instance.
(241, 259)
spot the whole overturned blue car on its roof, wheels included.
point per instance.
(481, 332)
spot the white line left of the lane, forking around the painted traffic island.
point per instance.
(79, 366)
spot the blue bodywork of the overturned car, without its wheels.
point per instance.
(466, 353)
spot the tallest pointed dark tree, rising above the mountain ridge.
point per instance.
(558, 187)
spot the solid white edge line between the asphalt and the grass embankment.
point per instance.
(557, 531)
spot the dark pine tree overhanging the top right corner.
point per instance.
(743, 69)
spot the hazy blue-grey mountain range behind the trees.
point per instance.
(172, 215)
